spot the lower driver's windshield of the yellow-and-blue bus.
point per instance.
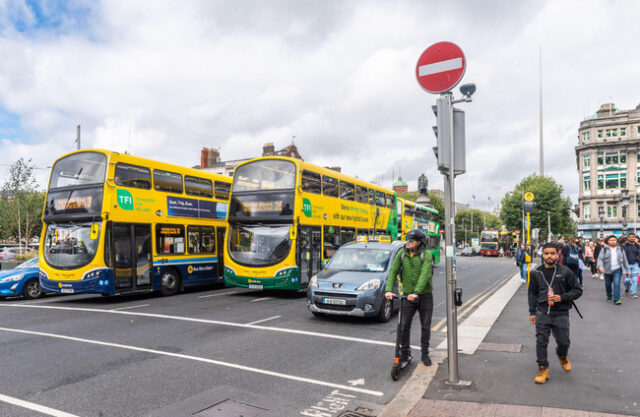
(71, 245)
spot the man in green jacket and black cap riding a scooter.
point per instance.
(416, 266)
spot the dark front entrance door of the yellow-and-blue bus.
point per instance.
(132, 256)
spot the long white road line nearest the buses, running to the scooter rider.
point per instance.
(205, 321)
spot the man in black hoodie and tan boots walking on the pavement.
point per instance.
(552, 288)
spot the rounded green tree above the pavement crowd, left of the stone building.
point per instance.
(548, 198)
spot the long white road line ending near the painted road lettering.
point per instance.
(200, 359)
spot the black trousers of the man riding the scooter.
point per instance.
(424, 306)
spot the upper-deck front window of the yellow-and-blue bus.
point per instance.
(79, 169)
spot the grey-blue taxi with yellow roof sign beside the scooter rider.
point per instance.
(353, 282)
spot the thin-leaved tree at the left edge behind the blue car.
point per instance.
(21, 209)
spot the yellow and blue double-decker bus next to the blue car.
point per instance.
(115, 223)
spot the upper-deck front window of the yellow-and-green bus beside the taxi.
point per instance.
(266, 174)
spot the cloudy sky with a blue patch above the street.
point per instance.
(165, 78)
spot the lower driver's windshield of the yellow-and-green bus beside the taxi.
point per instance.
(258, 245)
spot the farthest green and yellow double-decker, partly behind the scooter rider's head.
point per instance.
(412, 215)
